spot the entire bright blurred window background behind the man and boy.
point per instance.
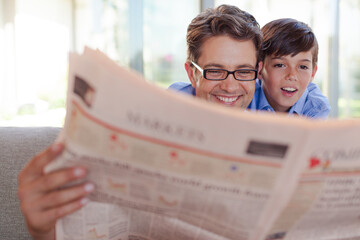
(149, 36)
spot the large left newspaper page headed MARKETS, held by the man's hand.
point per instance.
(170, 166)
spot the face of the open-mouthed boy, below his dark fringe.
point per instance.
(285, 78)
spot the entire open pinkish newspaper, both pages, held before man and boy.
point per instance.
(170, 166)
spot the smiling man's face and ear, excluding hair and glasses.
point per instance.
(224, 52)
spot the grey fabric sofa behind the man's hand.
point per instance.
(17, 146)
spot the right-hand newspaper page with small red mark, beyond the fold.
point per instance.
(326, 201)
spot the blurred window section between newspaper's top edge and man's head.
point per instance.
(148, 36)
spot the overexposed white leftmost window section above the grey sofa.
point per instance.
(34, 42)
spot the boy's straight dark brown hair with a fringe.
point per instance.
(288, 36)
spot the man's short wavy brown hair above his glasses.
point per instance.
(223, 20)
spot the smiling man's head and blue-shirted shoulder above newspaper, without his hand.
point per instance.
(222, 56)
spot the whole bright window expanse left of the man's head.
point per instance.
(36, 36)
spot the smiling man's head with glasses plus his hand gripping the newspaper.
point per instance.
(223, 51)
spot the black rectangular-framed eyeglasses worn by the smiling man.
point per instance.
(214, 74)
